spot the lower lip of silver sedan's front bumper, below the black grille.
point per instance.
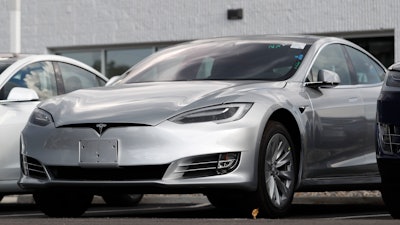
(145, 187)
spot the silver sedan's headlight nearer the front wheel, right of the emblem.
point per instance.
(219, 114)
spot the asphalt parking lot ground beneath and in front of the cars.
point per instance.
(361, 207)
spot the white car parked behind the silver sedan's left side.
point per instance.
(25, 80)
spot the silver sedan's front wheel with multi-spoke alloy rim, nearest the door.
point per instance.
(277, 172)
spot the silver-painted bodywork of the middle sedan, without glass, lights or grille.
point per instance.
(335, 126)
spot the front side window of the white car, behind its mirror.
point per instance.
(38, 76)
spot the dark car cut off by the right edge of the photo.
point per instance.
(388, 140)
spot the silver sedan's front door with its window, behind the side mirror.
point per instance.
(338, 130)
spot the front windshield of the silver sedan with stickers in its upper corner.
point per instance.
(224, 60)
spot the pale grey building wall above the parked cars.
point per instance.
(79, 23)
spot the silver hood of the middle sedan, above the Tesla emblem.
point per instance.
(145, 103)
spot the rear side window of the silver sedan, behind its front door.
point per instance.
(366, 69)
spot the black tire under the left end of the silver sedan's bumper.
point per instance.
(63, 204)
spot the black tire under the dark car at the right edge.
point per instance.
(391, 197)
